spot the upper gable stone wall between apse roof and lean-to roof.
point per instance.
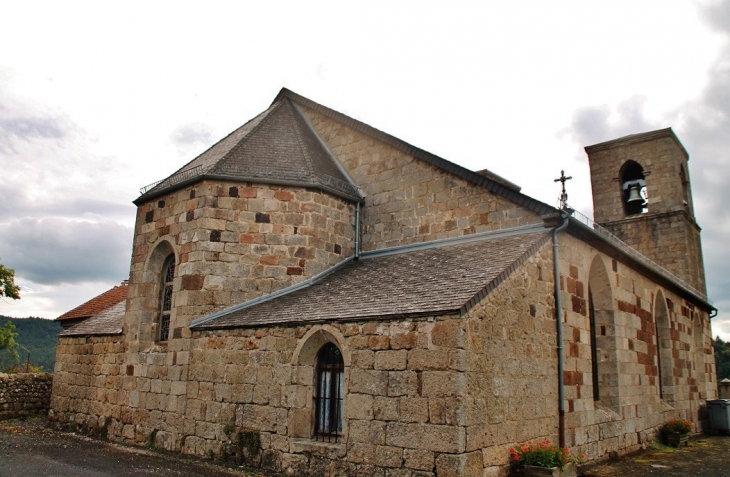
(408, 200)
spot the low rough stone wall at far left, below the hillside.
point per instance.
(24, 393)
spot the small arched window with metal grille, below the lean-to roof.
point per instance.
(329, 393)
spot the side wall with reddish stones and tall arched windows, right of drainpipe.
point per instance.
(629, 310)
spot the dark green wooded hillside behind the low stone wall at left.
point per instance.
(39, 336)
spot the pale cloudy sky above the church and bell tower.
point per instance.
(98, 99)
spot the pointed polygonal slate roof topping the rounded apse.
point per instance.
(278, 146)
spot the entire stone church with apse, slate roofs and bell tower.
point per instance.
(314, 296)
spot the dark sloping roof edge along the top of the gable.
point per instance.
(490, 181)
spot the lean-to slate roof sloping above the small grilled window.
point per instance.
(424, 279)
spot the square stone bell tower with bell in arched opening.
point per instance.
(642, 194)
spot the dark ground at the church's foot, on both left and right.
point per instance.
(29, 448)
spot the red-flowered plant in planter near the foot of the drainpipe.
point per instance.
(543, 458)
